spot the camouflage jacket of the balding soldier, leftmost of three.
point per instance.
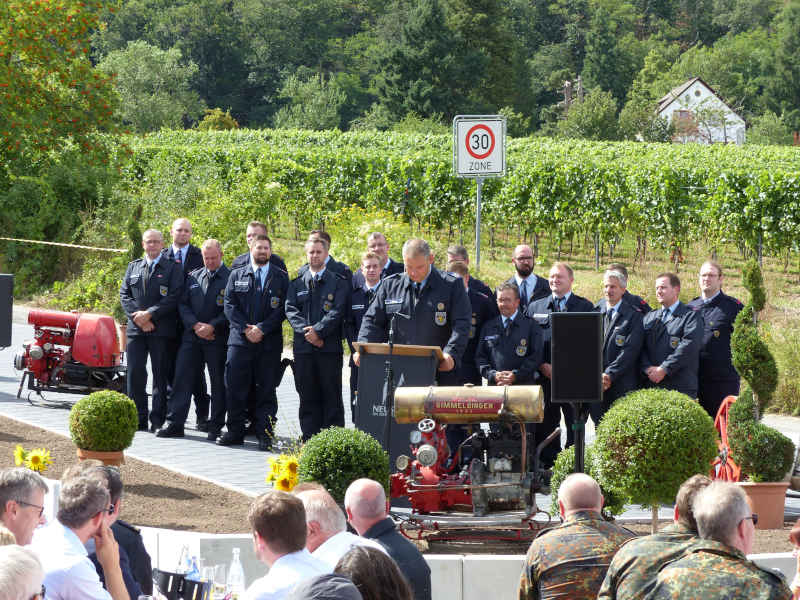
(571, 559)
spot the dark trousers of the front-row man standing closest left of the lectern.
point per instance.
(318, 379)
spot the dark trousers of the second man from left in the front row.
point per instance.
(193, 357)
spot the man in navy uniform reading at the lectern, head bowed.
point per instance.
(431, 308)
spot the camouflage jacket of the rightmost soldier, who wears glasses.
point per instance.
(711, 570)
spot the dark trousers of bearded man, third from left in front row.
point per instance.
(254, 366)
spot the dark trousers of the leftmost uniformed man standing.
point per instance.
(138, 349)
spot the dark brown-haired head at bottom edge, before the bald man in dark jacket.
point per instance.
(375, 574)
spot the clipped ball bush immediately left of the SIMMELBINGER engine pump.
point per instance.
(336, 456)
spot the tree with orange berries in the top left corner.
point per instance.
(49, 90)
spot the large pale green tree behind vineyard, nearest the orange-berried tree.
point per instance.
(155, 88)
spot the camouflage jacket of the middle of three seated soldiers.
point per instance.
(633, 571)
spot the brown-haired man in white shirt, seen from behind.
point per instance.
(278, 521)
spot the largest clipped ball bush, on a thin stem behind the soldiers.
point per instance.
(650, 442)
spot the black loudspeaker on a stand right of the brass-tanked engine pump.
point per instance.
(576, 350)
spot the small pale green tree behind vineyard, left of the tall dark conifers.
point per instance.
(314, 103)
